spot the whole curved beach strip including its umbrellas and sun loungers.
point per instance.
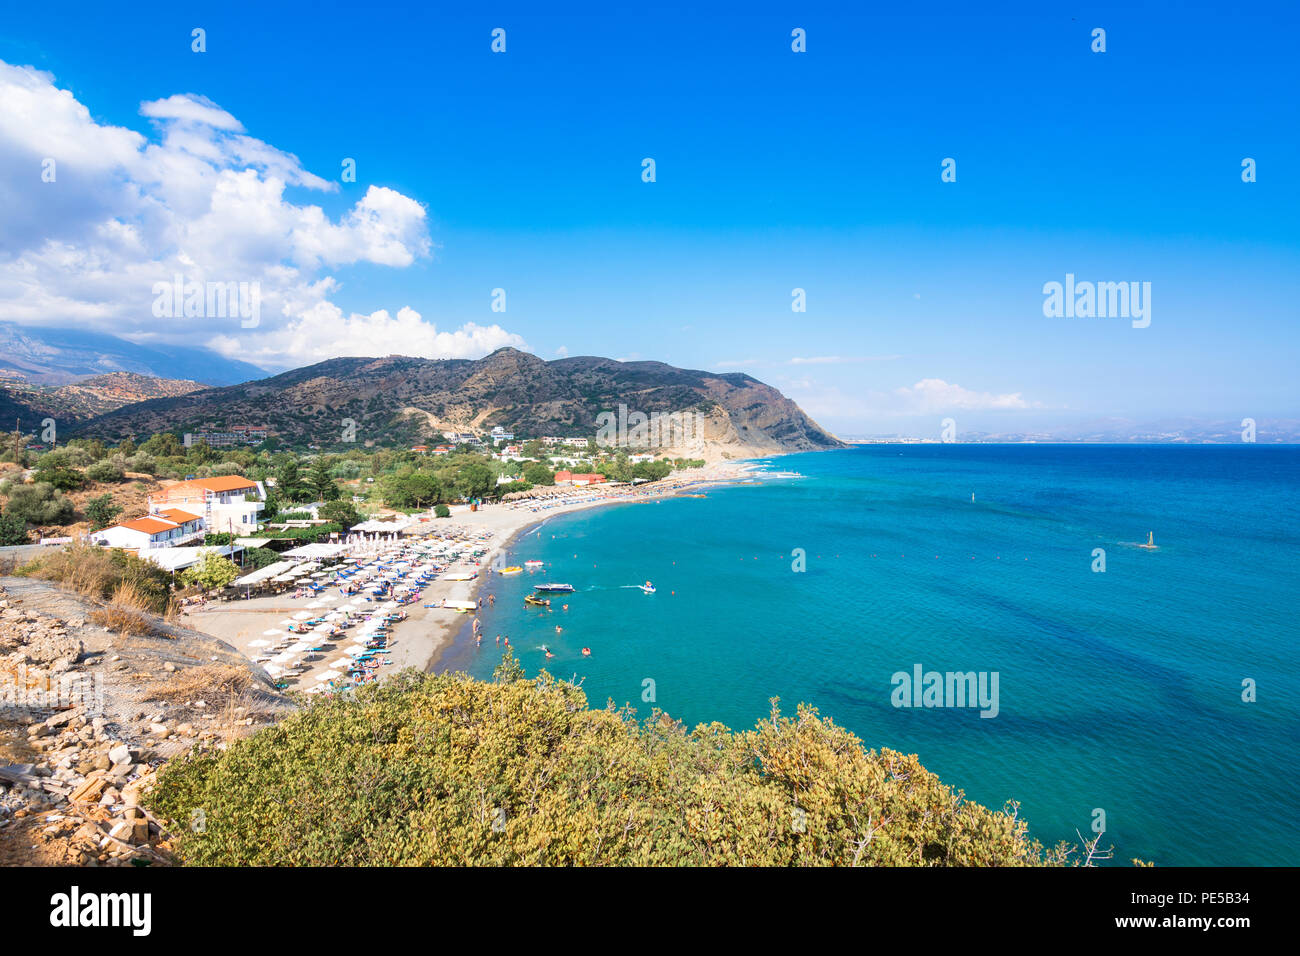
(340, 639)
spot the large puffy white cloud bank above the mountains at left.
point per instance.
(206, 201)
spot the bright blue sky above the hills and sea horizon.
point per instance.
(774, 171)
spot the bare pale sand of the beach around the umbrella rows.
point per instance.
(427, 631)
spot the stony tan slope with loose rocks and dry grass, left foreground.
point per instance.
(89, 716)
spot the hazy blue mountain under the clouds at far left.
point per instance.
(59, 357)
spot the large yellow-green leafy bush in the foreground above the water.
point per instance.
(448, 771)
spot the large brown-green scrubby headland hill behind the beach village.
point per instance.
(401, 400)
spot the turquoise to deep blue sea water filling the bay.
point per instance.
(1117, 690)
